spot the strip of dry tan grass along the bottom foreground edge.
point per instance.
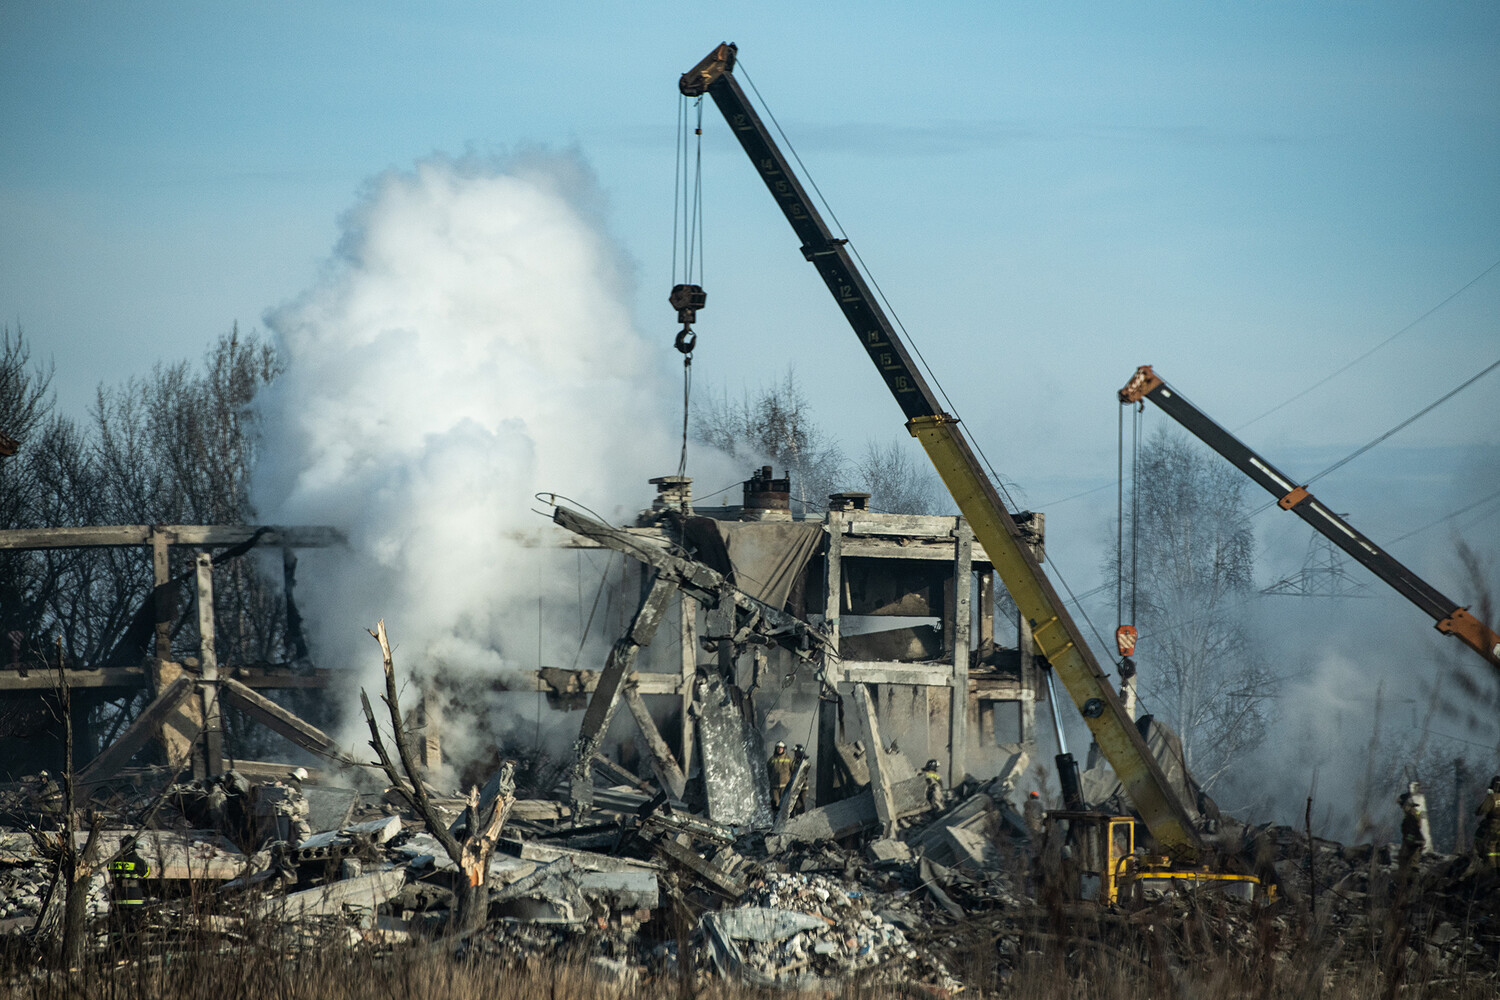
(262, 971)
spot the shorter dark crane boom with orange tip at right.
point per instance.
(1445, 612)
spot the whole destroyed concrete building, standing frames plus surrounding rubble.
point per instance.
(868, 638)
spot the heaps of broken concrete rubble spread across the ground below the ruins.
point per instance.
(640, 879)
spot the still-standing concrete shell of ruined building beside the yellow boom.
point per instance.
(905, 608)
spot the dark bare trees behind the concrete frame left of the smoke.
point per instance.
(170, 448)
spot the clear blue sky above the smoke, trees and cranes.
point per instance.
(1244, 196)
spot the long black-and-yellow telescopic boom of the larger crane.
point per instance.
(1057, 635)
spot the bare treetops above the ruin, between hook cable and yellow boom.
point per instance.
(775, 428)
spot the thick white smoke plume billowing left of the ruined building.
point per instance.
(467, 347)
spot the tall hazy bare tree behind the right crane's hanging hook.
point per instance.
(1195, 560)
